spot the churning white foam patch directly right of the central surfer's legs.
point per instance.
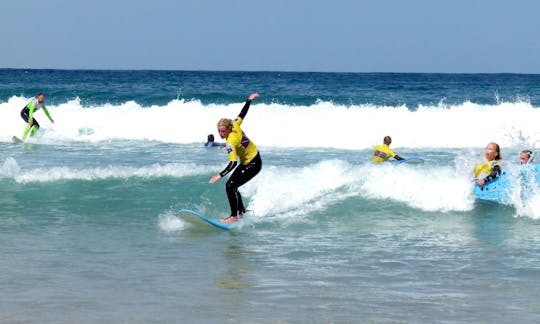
(294, 192)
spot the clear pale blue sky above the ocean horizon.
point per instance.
(273, 35)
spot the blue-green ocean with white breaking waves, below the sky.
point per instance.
(89, 230)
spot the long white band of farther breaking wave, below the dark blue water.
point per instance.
(323, 124)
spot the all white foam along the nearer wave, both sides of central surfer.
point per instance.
(292, 194)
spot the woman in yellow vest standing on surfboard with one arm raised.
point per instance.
(238, 146)
